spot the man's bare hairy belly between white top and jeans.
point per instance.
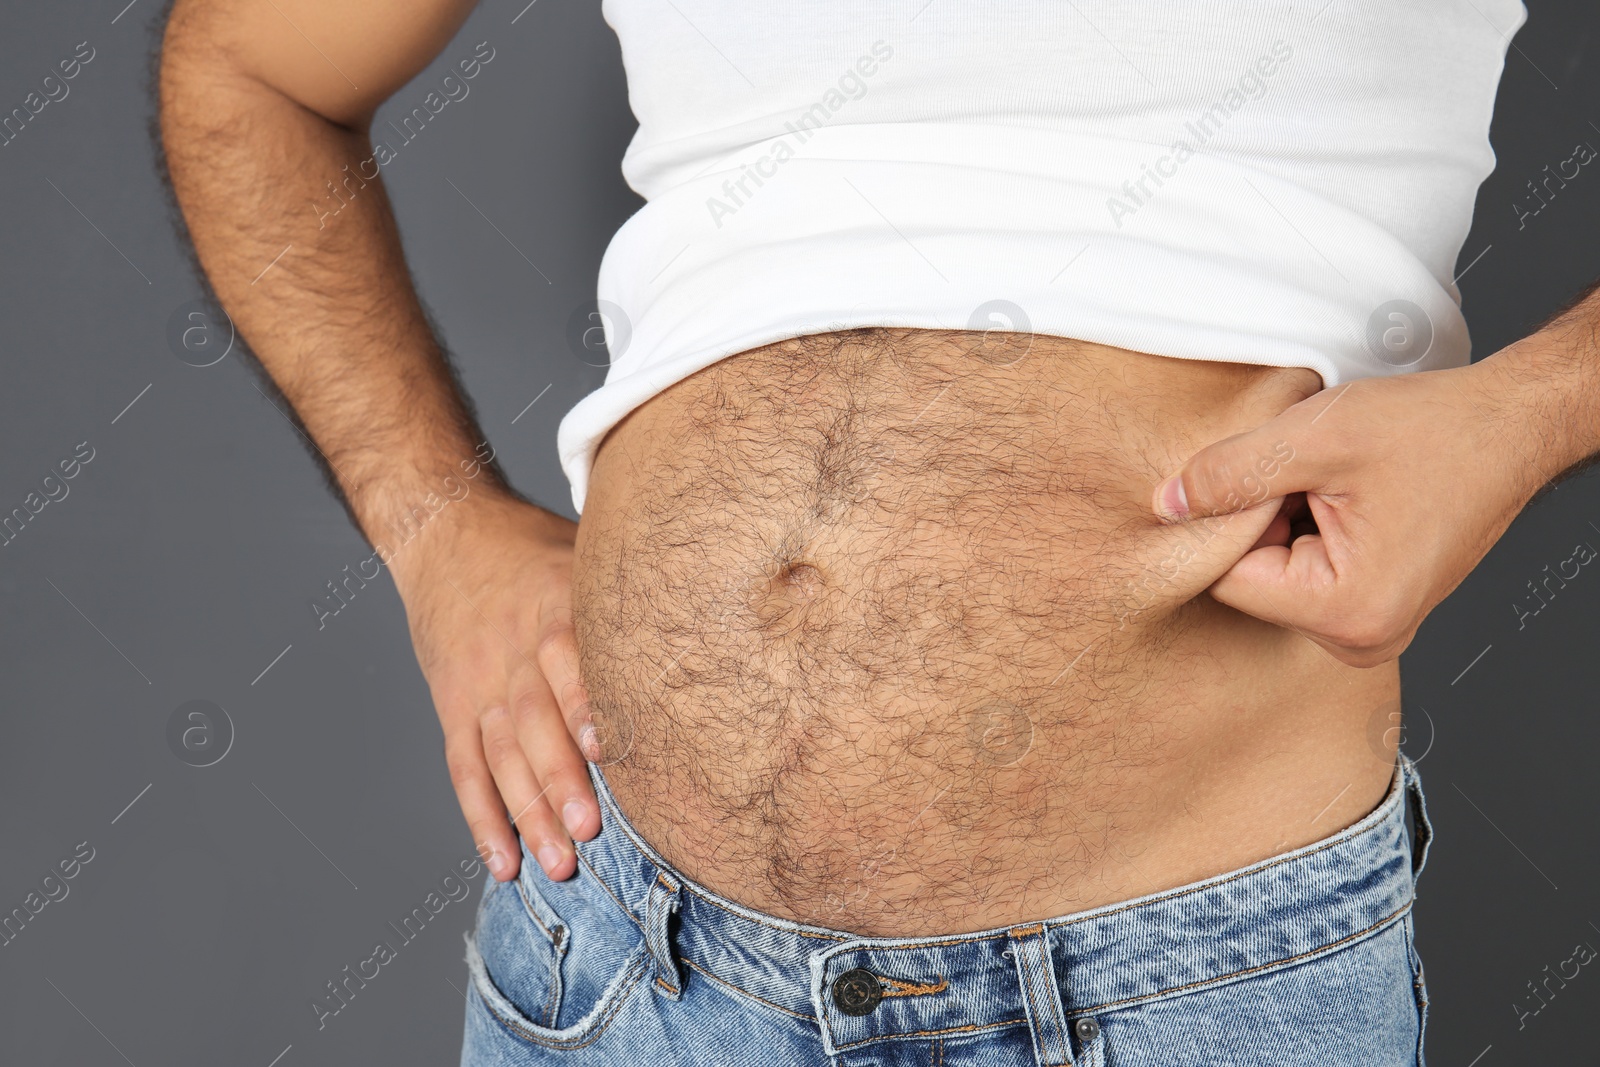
(886, 636)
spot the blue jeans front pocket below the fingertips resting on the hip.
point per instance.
(554, 962)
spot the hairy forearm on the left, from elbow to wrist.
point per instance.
(334, 319)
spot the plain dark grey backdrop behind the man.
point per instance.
(182, 564)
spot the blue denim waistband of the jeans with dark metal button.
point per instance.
(1278, 913)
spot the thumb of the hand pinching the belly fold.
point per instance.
(1236, 474)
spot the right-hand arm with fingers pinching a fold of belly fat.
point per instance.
(1410, 481)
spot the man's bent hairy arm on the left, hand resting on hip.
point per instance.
(265, 116)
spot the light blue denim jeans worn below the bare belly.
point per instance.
(1303, 959)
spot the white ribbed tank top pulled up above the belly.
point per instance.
(1255, 182)
